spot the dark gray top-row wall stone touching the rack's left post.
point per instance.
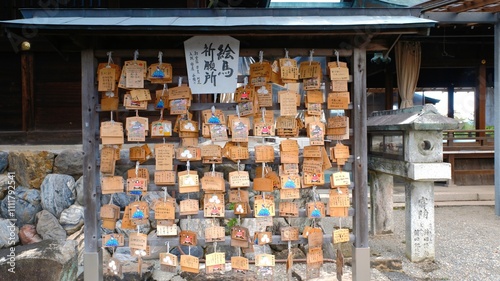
(69, 162)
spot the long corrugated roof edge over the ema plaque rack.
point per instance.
(256, 19)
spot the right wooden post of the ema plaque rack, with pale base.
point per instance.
(361, 248)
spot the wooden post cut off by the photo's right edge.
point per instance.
(497, 113)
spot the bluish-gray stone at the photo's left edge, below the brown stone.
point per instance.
(27, 205)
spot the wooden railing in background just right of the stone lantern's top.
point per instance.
(455, 140)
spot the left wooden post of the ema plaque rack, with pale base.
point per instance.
(90, 126)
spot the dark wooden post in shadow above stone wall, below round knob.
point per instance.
(28, 97)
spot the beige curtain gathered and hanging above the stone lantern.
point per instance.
(408, 56)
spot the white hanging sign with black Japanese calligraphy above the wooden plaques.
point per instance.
(212, 63)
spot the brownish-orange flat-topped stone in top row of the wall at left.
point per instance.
(31, 167)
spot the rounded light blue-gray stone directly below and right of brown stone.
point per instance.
(57, 193)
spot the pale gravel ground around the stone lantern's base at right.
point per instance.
(467, 246)
